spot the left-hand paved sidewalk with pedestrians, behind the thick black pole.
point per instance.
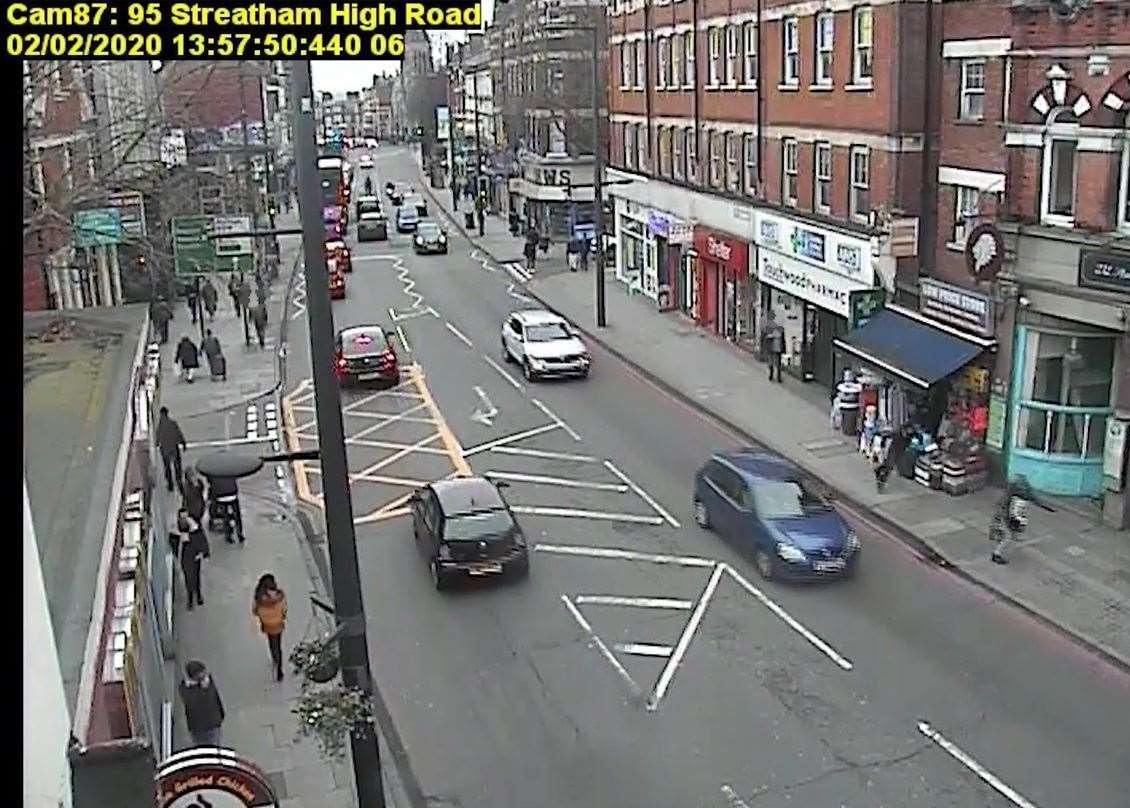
(223, 633)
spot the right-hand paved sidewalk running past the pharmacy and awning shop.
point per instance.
(1071, 571)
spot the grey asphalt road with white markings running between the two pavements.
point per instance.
(905, 687)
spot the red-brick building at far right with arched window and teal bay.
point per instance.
(1035, 143)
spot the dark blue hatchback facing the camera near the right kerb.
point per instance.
(760, 505)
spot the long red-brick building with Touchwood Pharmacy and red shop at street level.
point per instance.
(779, 160)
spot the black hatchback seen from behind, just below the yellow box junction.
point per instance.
(466, 529)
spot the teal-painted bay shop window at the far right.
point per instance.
(1061, 401)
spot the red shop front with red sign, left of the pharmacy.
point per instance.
(722, 282)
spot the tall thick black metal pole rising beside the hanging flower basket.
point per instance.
(340, 523)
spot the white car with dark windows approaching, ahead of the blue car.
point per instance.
(544, 345)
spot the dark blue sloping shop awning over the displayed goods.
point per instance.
(911, 347)
